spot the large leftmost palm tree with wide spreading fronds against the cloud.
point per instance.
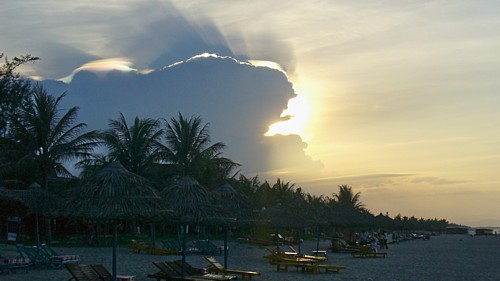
(47, 139)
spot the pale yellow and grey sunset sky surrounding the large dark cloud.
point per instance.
(399, 99)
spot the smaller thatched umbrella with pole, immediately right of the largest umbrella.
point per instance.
(192, 204)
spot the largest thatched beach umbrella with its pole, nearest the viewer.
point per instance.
(115, 193)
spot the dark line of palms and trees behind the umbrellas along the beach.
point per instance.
(37, 140)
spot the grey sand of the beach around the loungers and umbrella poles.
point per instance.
(445, 257)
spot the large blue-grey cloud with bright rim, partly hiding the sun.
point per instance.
(239, 101)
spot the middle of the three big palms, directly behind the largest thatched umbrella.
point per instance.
(136, 147)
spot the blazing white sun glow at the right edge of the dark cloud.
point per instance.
(297, 115)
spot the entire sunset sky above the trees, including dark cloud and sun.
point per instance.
(397, 99)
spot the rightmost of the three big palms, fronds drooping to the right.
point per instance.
(191, 153)
